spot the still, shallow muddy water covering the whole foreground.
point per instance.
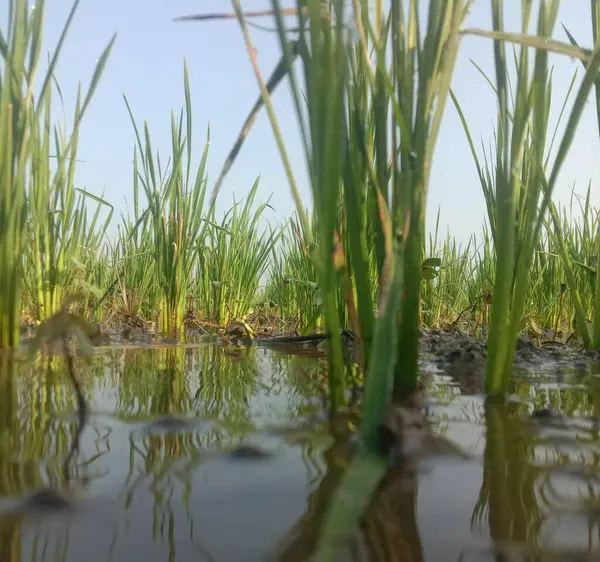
(203, 453)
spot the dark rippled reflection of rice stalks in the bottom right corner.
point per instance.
(540, 476)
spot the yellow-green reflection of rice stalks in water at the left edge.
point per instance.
(34, 448)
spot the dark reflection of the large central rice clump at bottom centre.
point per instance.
(387, 529)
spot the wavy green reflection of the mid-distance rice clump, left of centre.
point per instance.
(177, 381)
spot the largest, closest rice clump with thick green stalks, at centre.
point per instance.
(345, 131)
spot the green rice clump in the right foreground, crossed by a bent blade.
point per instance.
(515, 187)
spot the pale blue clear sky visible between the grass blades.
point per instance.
(146, 65)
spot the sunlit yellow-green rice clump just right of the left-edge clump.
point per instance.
(63, 236)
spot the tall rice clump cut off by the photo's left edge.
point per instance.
(21, 116)
